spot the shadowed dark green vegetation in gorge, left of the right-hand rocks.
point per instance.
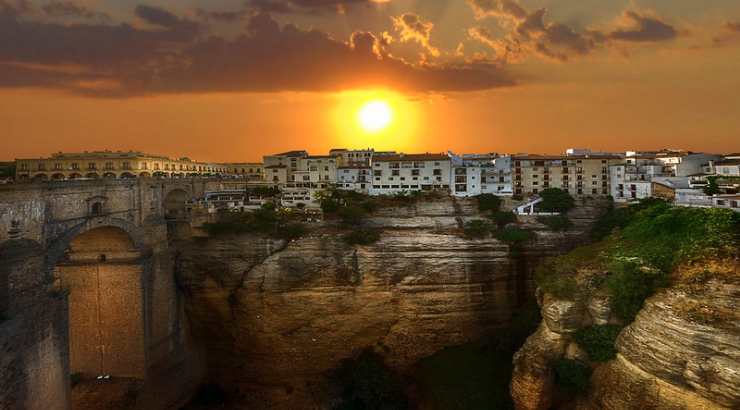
(476, 375)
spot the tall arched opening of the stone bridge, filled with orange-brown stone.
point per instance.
(102, 272)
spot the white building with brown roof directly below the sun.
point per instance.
(410, 172)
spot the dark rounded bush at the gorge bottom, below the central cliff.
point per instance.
(368, 384)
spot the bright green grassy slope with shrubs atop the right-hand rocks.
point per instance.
(632, 263)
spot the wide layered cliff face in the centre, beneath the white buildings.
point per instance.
(276, 320)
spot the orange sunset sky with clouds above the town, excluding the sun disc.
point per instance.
(233, 80)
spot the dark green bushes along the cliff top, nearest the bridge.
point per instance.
(262, 221)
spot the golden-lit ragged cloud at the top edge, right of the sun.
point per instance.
(556, 41)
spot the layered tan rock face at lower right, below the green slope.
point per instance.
(681, 352)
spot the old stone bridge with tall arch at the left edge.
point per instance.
(87, 288)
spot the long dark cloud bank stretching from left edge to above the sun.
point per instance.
(123, 60)
